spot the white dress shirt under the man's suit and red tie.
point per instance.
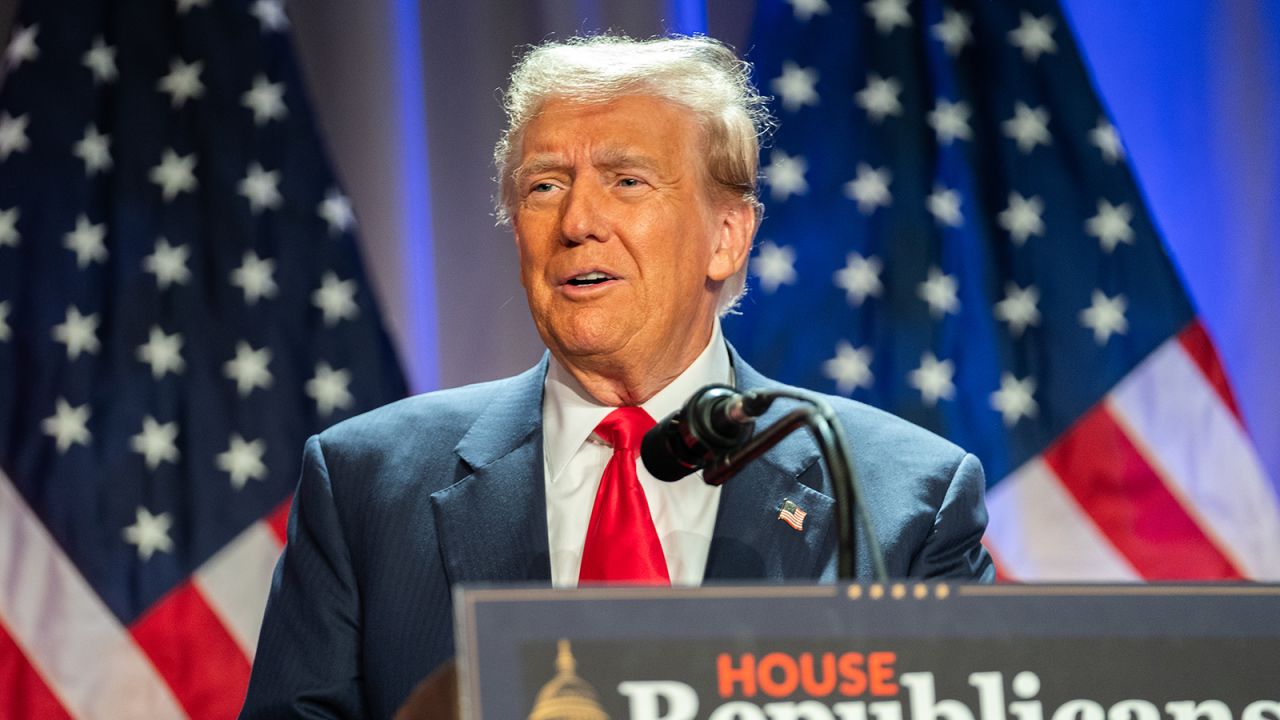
(684, 513)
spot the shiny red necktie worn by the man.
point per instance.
(621, 543)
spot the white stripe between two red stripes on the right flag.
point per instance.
(1194, 441)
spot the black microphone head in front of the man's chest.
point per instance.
(717, 420)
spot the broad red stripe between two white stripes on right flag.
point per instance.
(1132, 505)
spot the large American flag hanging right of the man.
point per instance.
(954, 235)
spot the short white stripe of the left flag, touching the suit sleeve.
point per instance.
(237, 581)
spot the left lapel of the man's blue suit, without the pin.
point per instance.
(493, 522)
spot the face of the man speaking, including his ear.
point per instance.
(623, 249)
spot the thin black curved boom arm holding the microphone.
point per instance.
(830, 436)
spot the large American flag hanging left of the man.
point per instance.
(181, 306)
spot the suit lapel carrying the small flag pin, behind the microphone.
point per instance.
(749, 540)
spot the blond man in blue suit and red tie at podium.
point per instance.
(629, 175)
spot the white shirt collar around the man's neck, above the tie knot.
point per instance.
(570, 414)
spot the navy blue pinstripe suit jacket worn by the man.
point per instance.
(399, 505)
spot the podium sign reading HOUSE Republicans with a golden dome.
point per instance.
(872, 653)
